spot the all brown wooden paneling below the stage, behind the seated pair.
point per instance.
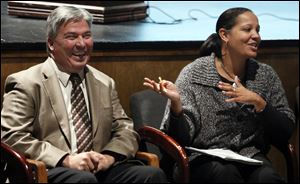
(129, 67)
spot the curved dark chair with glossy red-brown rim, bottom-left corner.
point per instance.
(14, 168)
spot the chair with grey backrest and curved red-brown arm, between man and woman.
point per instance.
(147, 109)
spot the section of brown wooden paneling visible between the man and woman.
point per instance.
(130, 69)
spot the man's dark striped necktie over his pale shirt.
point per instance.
(82, 124)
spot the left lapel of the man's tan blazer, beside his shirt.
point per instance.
(52, 88)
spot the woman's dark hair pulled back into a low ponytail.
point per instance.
(226, 20)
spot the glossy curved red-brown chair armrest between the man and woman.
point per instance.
(170, 146)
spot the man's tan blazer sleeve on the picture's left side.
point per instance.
(21, 123)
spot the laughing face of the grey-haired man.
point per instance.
(72, 47)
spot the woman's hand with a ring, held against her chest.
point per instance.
(238, 93)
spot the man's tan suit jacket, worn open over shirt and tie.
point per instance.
(34, 119)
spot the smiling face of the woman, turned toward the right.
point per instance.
(244, 38)
